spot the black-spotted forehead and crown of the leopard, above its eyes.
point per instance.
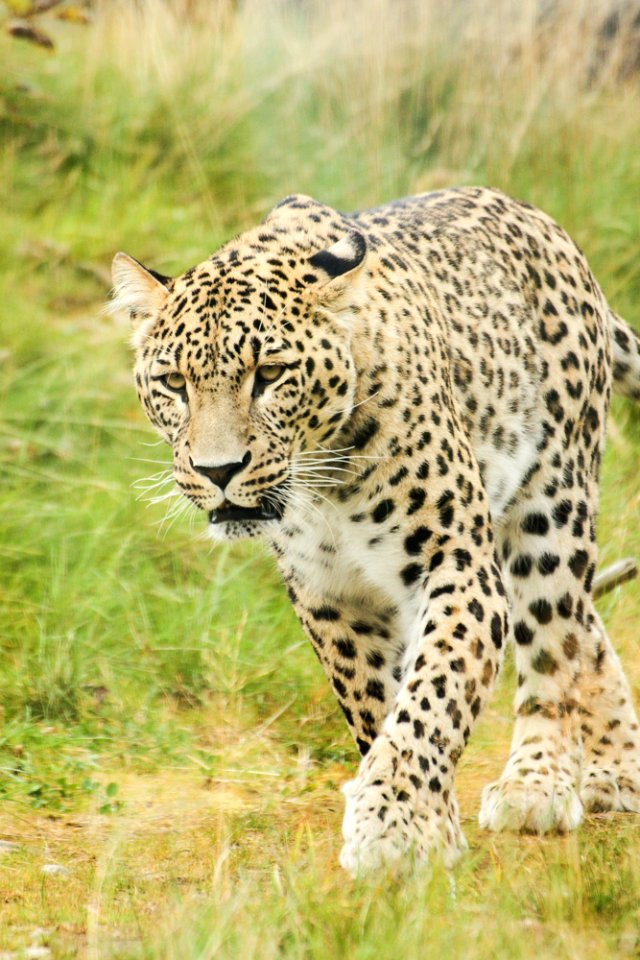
(258, 293)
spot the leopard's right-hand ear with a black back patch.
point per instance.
(341, 269)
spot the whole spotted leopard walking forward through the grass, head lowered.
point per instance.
(408, 404)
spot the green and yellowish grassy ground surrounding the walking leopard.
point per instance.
(170, 756)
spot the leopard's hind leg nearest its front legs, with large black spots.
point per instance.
(550, 555)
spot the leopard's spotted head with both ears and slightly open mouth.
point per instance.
(247, 379)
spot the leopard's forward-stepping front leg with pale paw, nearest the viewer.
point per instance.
(402, 800)
